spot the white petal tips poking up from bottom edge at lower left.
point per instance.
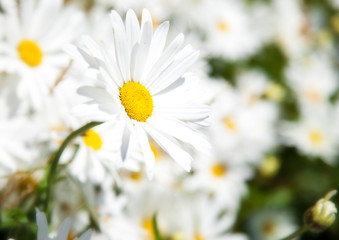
(63, 230)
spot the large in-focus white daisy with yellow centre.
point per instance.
(144, 88)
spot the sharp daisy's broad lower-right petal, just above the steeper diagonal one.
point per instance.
(182, 132)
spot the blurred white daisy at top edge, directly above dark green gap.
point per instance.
(227, 27)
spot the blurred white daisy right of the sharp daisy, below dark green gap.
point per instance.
(242, 128)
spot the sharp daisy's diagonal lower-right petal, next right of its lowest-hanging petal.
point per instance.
(171, 147)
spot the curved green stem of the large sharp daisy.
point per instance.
(56, 158)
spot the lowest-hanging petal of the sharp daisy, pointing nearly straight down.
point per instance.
(146, 150)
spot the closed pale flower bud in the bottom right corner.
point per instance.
(322, 214)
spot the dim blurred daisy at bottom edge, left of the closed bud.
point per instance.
(271, 224)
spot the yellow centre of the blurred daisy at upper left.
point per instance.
(30, 53)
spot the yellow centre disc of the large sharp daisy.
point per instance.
(137, 101)
